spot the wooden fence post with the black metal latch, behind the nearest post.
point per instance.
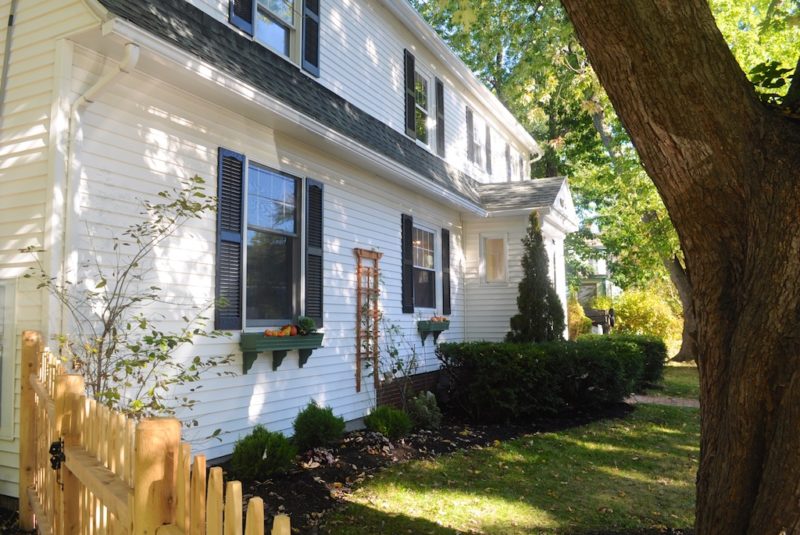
(68, 389)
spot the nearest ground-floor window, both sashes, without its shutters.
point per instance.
(272, 273)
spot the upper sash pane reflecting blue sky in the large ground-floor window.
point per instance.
(271, 201)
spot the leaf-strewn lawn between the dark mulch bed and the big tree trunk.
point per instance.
(633, 473)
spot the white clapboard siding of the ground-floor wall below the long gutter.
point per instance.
(142, 136)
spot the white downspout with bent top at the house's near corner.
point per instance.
(127, 64)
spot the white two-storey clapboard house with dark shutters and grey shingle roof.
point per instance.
(352, 116)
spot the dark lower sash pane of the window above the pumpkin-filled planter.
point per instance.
(270, 276)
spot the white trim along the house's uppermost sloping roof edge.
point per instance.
(412, 20)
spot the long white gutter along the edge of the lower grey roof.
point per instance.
(226, 83)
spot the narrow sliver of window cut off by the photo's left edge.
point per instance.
(7, 359)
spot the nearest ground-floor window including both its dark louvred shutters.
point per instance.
(266, 260)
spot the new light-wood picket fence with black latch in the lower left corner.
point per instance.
(118, 476)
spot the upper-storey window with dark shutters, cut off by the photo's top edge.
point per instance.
(285, 26)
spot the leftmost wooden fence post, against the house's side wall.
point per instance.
(31, 359)
